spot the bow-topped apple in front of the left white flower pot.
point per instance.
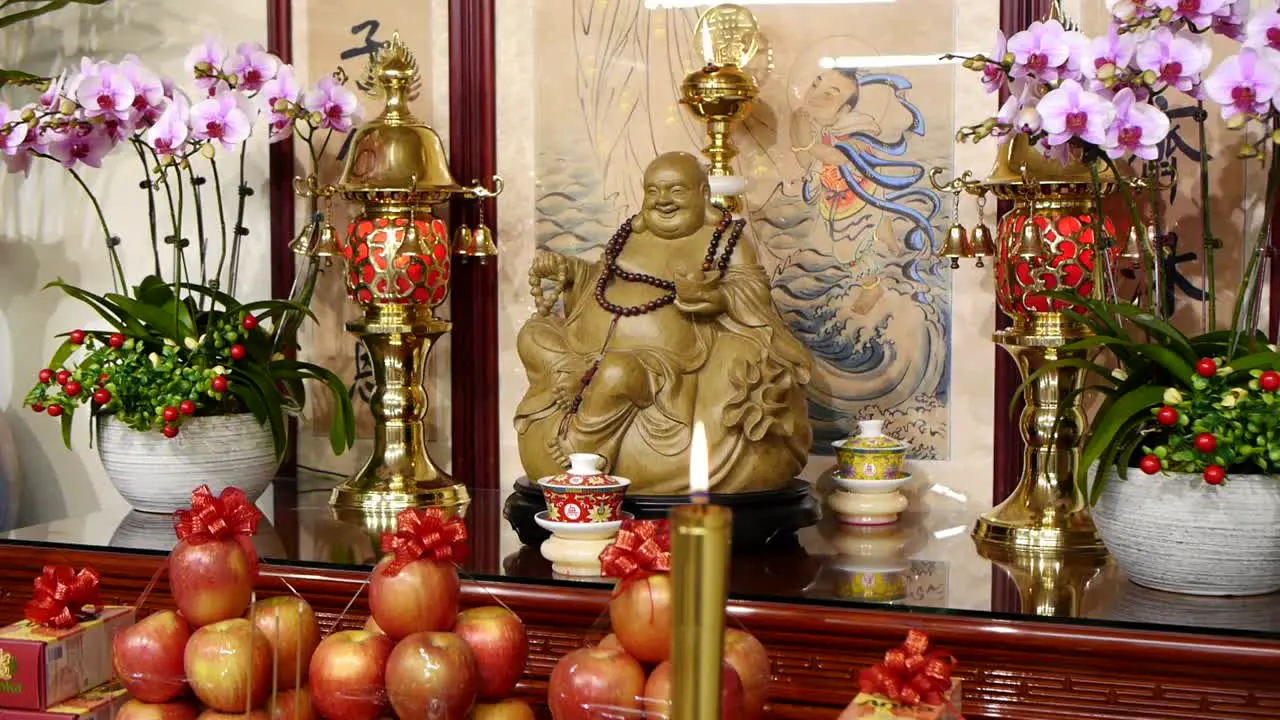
(213, 568)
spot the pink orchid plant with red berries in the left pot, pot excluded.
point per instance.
(180, 343)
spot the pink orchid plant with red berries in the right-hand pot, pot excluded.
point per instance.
(1174, 403)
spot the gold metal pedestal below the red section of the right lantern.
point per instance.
(1046, 512)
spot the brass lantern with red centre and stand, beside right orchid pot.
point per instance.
(1040, 248)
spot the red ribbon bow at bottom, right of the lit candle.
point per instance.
(909, 675)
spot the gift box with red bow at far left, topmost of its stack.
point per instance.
(63, 649)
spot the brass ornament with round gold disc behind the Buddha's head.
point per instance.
(721, 93)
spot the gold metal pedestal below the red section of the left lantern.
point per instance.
(400, 473)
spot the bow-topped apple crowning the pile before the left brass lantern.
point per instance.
(415, 589)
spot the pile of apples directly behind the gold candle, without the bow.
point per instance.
(612, 677)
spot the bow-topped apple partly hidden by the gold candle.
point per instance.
(641, 608)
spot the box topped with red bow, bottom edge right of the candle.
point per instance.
(912, 682)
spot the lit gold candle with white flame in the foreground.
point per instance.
(701, 536)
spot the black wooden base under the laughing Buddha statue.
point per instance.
(760, 518)
